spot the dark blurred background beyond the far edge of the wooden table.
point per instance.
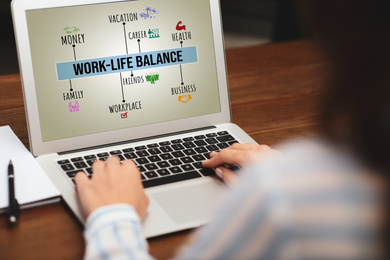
(245, 22)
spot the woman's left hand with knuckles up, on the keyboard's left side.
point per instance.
(112, 182)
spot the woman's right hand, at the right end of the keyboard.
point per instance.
(237, 154)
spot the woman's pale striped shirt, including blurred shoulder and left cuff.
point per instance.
(311, 202)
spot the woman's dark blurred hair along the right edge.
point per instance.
(356, 34)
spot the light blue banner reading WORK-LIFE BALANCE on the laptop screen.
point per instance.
(130, 62)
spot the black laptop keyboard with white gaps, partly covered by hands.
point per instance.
(161, 163)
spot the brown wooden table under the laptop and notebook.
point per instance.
(275, 92)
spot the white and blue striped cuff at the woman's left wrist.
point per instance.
(115, 232)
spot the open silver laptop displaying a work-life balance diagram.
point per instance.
(143, 80)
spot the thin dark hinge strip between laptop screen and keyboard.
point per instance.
(136, 140)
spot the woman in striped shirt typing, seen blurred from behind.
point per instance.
(315, 199)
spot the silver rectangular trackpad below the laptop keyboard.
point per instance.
(190, 203)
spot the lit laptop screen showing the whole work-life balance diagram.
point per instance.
(112, 66)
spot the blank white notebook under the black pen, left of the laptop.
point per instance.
(32, 186)
